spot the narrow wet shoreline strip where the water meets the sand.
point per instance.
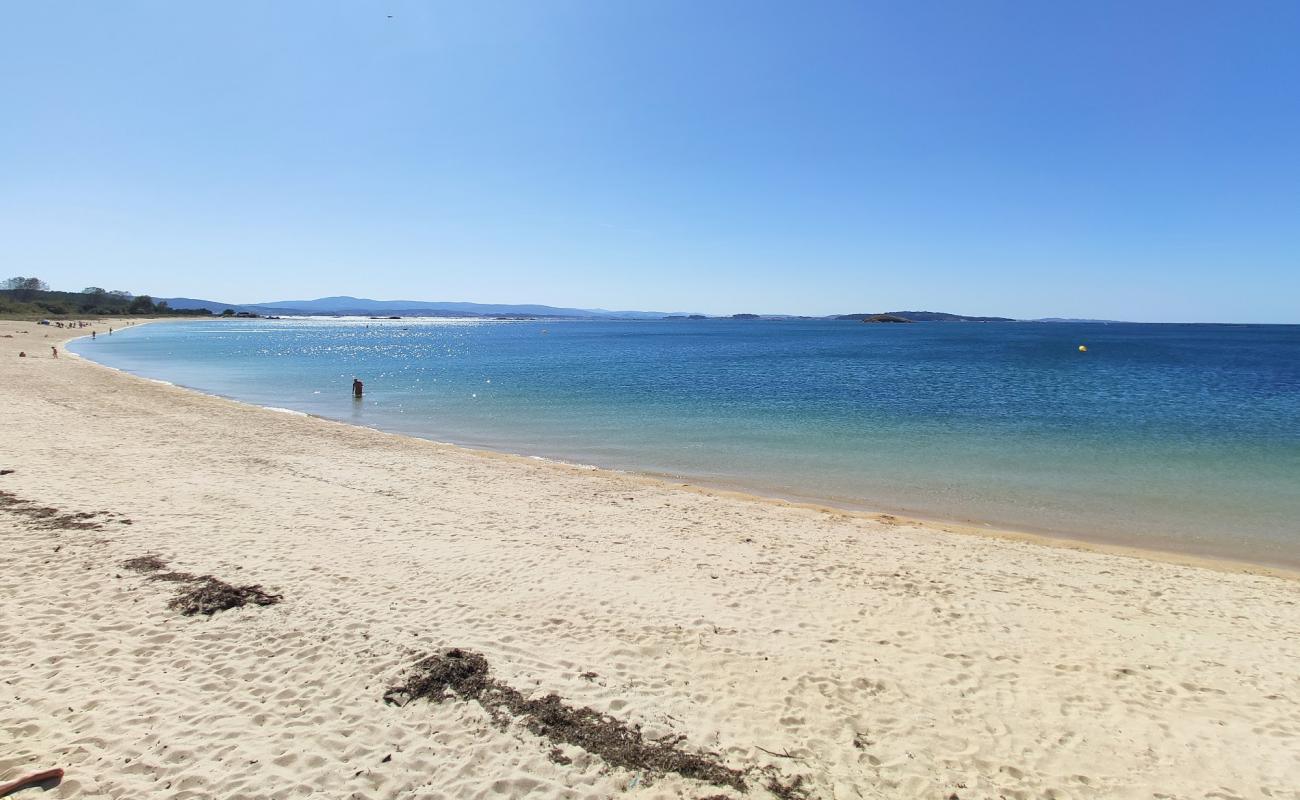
(939, 526)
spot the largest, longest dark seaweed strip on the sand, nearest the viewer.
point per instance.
(466, 674)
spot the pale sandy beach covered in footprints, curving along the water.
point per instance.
(807, 652)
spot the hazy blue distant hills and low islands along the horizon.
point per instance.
(352, 306)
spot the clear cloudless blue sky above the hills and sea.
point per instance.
(1133, 161)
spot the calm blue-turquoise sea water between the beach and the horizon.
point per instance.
(1182, 438)
